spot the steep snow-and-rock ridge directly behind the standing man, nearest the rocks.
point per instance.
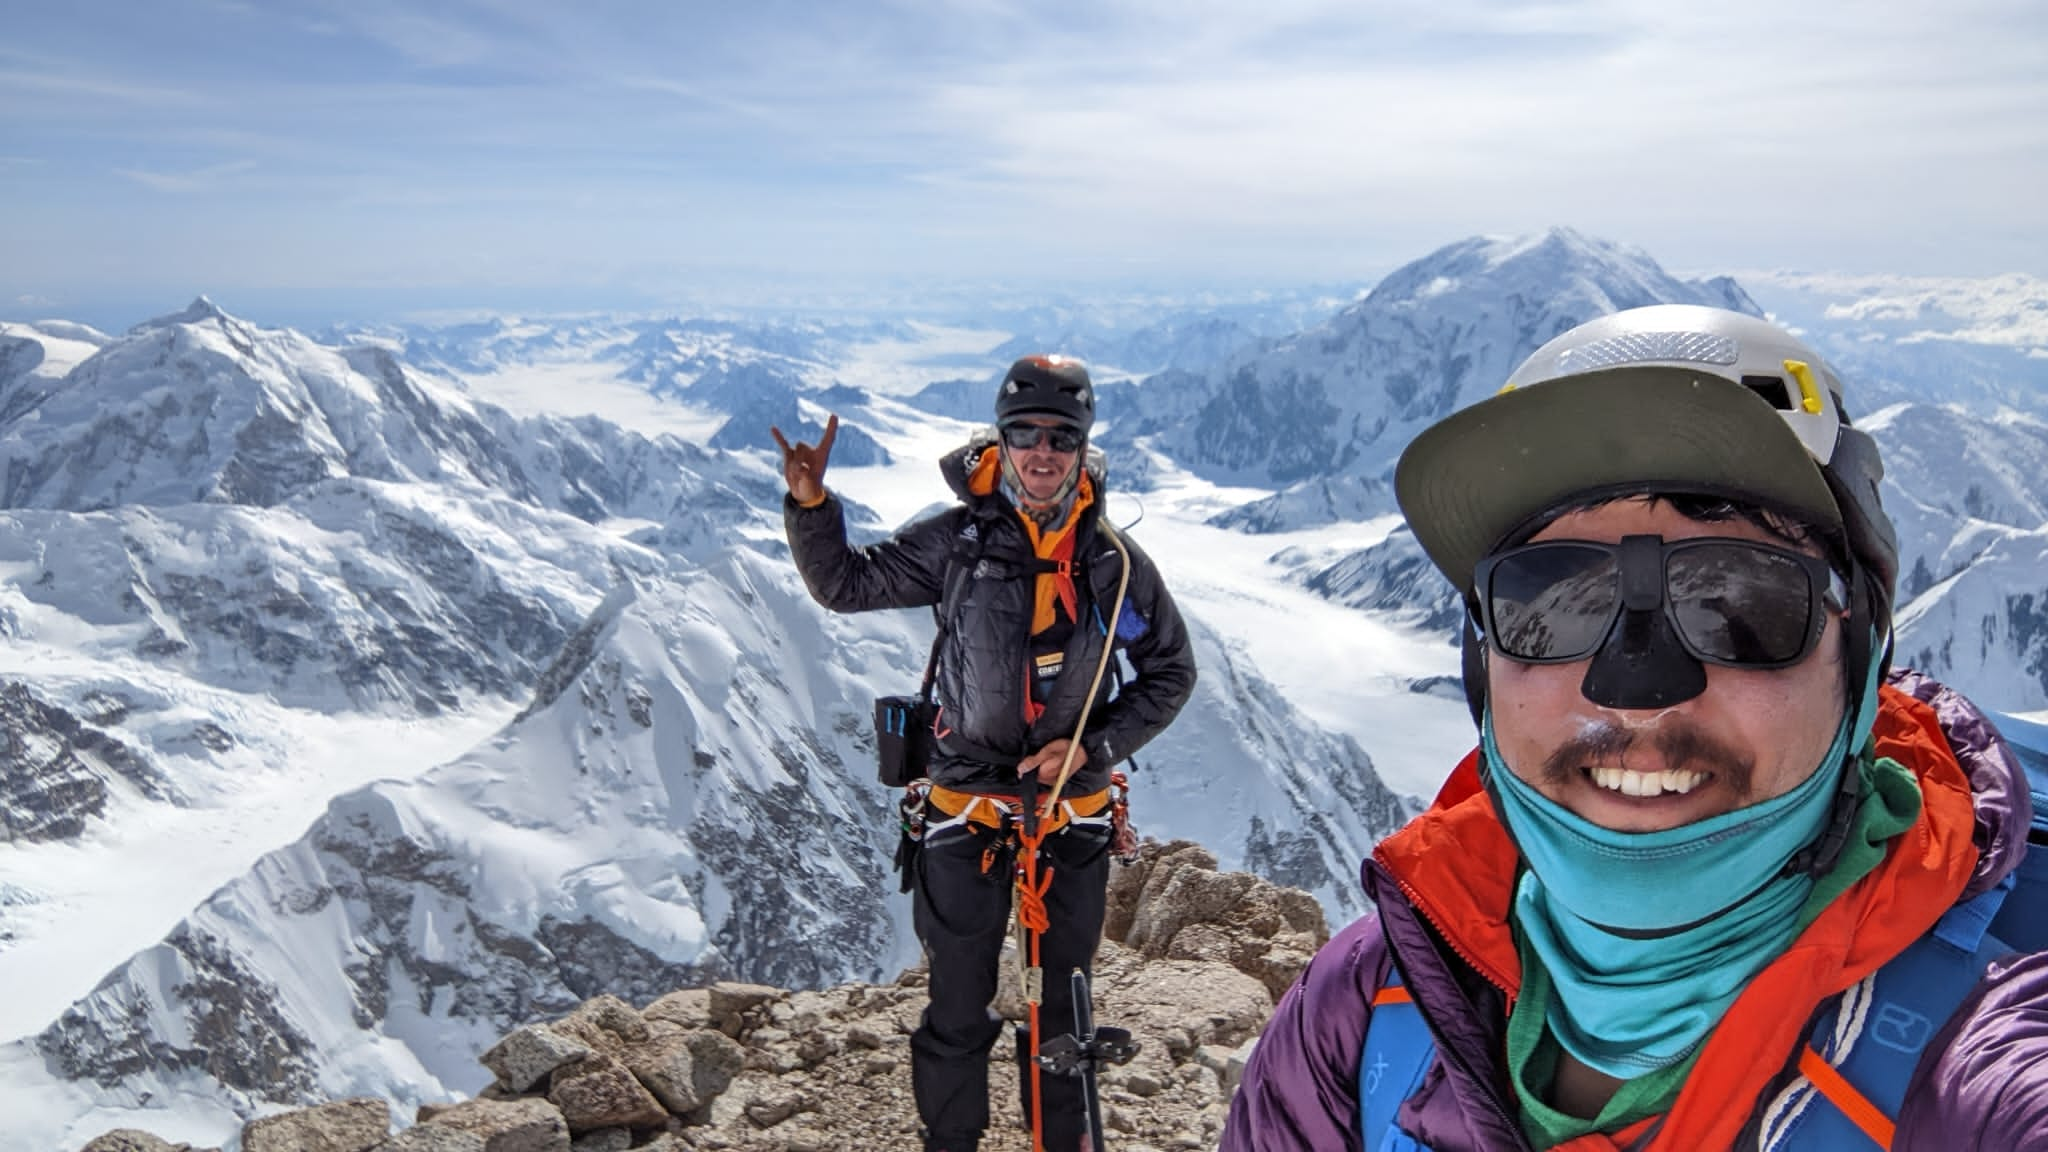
(691, 784)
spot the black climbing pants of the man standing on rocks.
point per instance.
(964, 917)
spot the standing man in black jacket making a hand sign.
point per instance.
(1025, 577)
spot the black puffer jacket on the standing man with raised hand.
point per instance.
(980, 548)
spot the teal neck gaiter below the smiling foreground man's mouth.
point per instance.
(1652, 936)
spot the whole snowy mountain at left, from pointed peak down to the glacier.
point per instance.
(273, 516)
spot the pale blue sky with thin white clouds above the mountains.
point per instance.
(370, 157)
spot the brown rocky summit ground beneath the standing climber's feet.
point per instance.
(1193, 962)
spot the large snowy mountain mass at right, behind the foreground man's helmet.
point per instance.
(1967, 454)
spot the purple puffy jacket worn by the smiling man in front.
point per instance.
(1981, 1085)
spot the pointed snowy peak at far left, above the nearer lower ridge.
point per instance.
(202, 407)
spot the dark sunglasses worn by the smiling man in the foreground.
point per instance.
(1732, 602)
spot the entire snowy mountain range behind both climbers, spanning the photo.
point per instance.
(202, 513)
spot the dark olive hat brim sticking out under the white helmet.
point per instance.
(1494, 468)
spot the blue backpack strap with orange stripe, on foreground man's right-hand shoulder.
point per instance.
(1877, 1030)
